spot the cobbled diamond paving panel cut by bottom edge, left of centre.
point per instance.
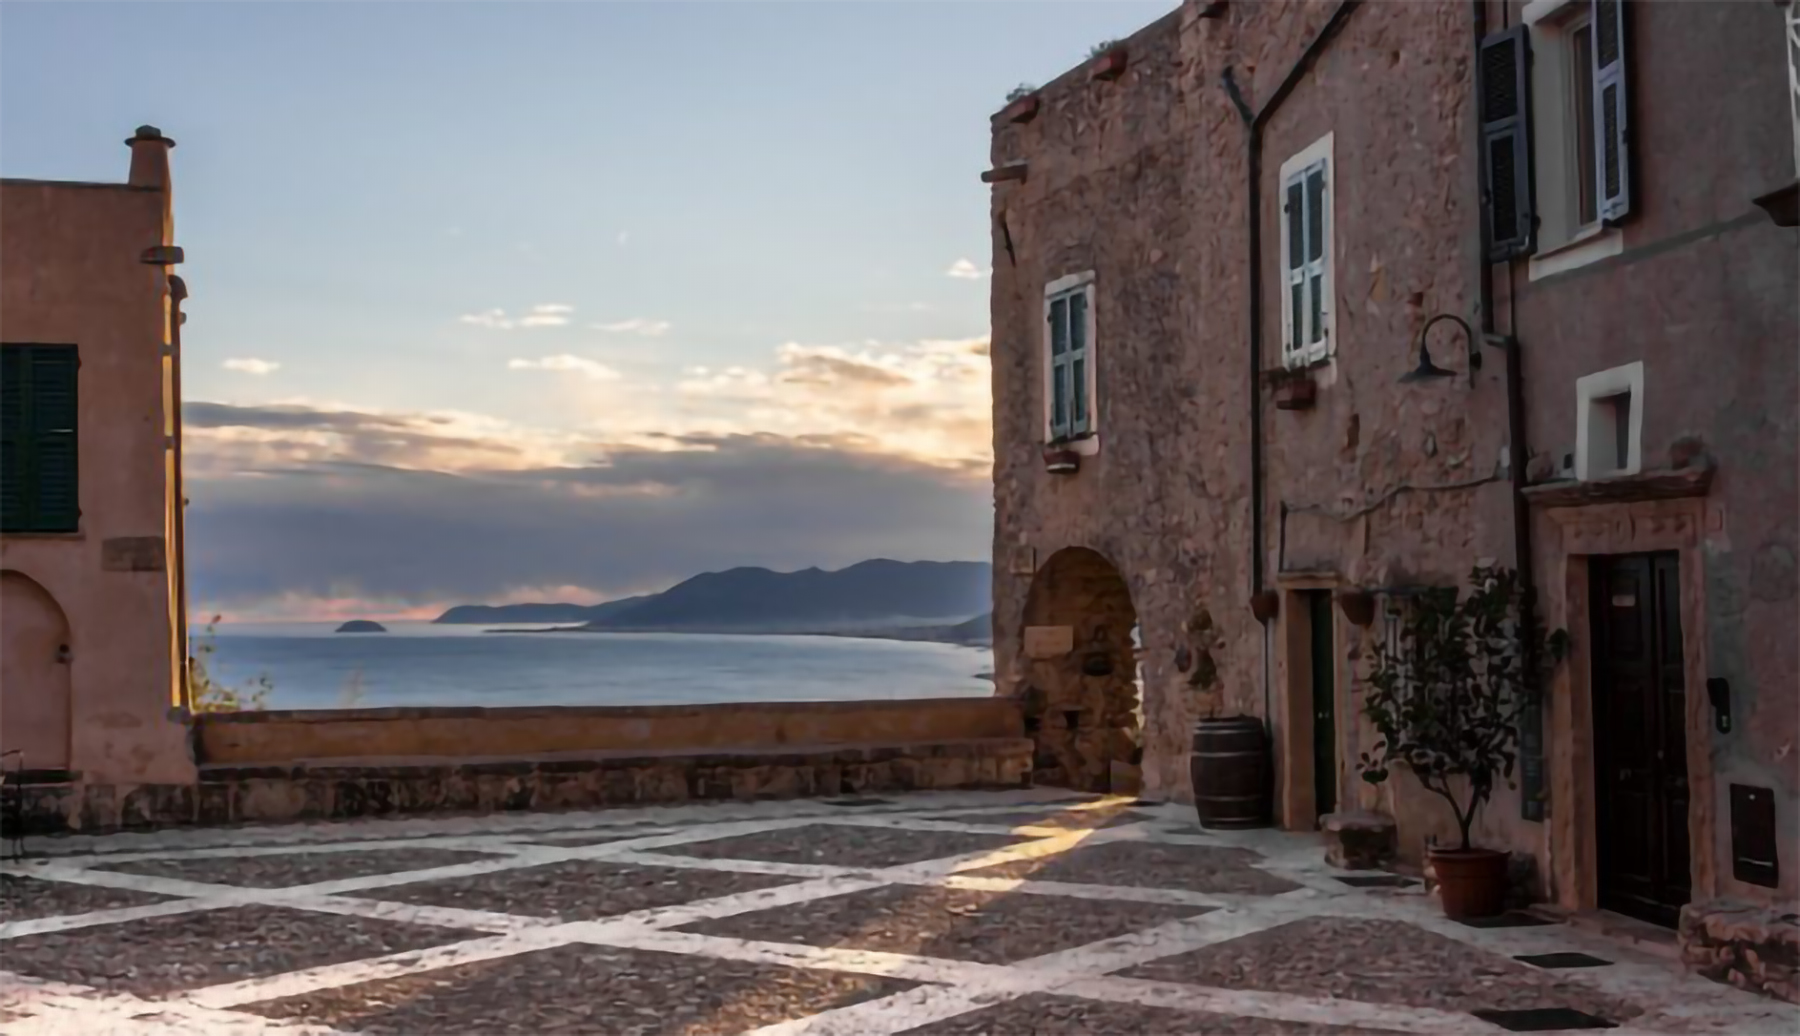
(586, 990)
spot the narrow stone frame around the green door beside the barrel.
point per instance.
(1295, 798)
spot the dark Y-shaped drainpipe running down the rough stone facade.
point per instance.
(1255, 123)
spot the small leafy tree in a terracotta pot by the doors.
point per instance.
(1446, 702)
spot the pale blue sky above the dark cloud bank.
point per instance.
(352, 179)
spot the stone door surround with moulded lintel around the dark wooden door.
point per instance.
(1599, 530)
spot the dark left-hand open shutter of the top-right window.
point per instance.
(1506, 102)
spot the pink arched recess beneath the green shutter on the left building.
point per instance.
(35, 688)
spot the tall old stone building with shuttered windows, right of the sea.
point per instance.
(1257, 339)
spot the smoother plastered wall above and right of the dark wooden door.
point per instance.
(1704, 294)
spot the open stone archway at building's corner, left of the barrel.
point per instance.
(1081, 692)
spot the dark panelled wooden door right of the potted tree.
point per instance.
(1641, 737)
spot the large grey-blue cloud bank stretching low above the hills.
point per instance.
(296, 505)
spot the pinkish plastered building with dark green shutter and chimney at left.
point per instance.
(91, 593)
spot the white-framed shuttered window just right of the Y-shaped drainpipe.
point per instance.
(1308, 256)
